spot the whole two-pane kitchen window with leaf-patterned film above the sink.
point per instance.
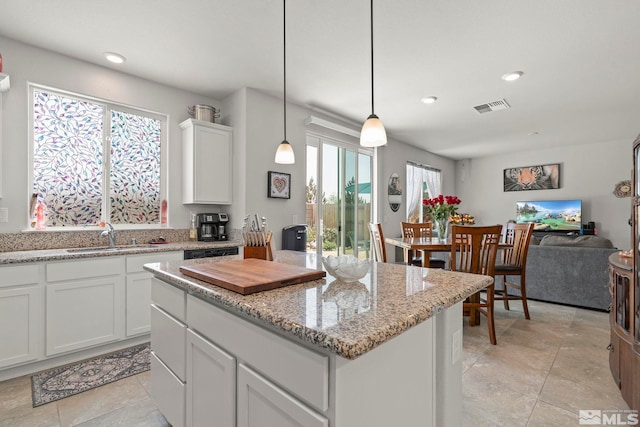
(95, 161)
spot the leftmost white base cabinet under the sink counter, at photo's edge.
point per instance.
(19, 314)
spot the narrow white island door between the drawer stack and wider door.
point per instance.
(211, 383)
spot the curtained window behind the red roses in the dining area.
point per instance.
(423, 182)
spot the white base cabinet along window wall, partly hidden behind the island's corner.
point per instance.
(138, 290)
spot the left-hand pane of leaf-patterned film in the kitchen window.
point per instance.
(67, 159)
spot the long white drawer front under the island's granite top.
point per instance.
(297, 369)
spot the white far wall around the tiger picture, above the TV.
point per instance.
(588, 172)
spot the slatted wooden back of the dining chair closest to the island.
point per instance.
(474, 248)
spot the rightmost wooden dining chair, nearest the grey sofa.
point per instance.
(514, 263)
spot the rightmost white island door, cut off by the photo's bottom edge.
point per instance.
(263, 404)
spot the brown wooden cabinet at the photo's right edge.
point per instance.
(624, 286)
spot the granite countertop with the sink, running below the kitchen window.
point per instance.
(94, 252)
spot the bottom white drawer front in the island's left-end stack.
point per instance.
(167, 392)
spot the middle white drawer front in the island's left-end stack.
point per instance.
(169, 340)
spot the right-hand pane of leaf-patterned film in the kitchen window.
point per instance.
(135, 169)
